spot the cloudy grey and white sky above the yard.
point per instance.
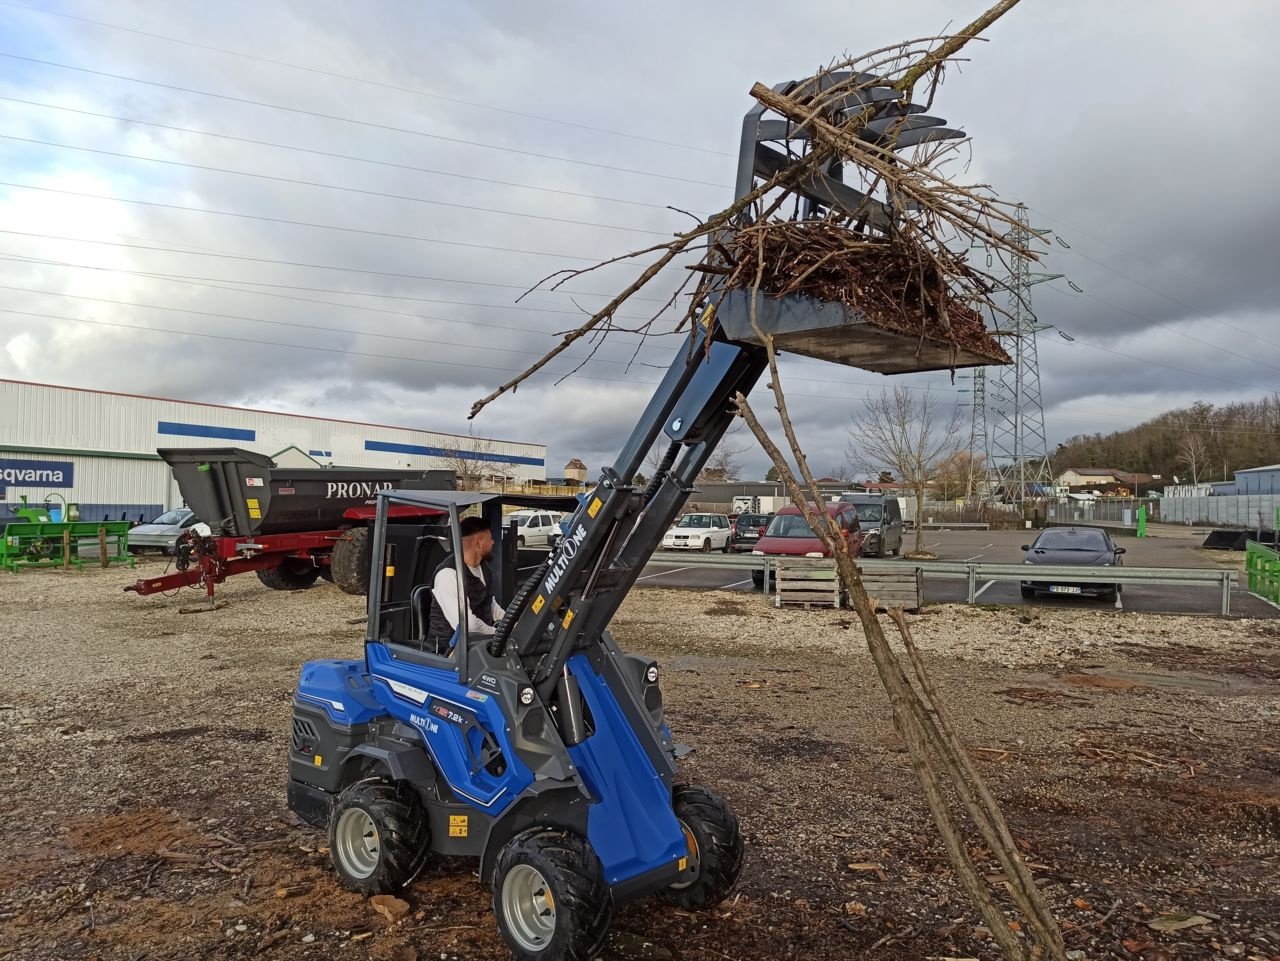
(331, 208)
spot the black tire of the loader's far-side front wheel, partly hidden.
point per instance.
(720, 848)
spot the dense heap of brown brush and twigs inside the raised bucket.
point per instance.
(892, 281)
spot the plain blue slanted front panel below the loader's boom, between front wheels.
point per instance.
(630, 823)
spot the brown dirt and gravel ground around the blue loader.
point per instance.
(143, 756)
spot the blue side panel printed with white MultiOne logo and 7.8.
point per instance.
(454, 721)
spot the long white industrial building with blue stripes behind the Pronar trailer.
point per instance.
(98, 449)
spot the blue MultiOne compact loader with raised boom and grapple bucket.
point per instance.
(540, 748)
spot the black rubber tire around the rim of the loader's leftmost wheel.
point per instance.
(403, 835)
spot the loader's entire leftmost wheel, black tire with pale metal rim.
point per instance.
(378, 836)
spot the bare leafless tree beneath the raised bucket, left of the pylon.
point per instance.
(911, 437)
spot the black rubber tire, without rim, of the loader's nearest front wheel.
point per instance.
(582, 898)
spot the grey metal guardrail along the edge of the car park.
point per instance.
(977, 574)
